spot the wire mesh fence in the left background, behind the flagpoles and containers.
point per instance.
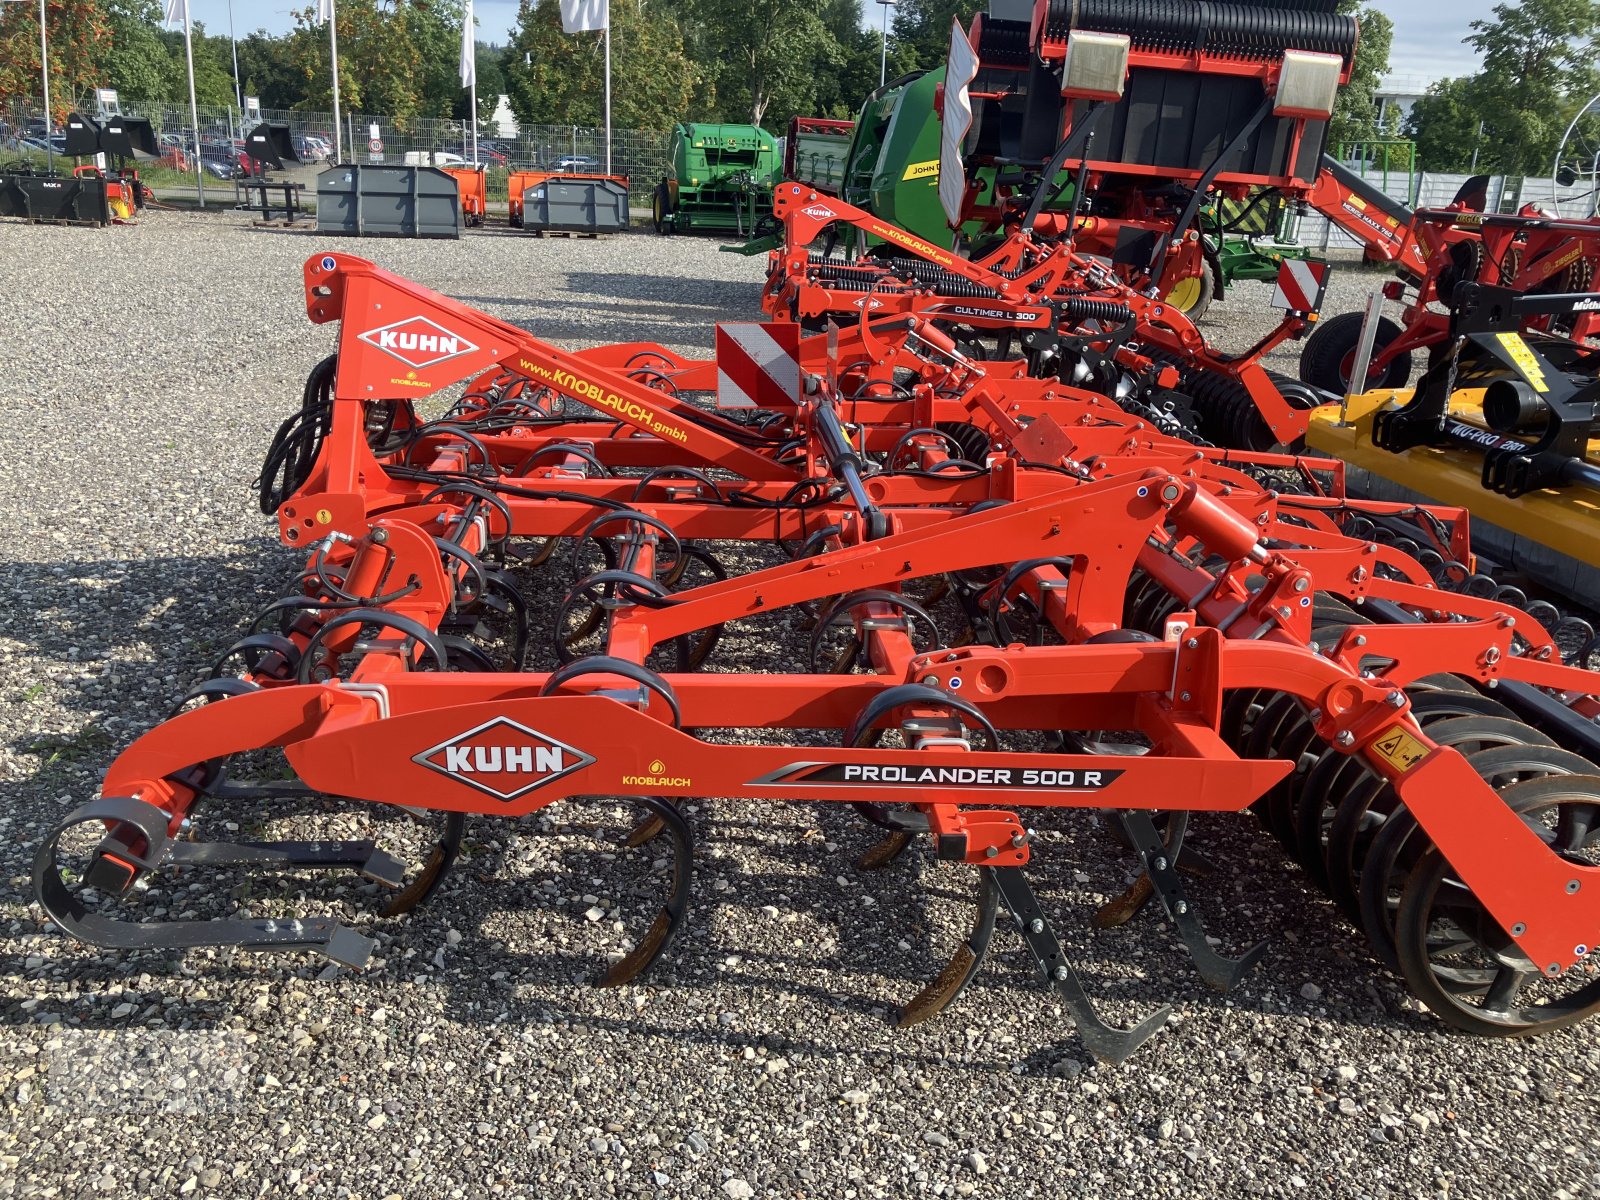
(639, 154)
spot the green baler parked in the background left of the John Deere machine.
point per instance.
(722, 180)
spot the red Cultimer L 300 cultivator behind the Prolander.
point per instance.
(1063, 313)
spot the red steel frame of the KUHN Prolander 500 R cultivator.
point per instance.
(1087, 503)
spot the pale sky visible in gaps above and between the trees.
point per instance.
(1428, 33)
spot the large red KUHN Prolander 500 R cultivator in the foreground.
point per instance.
(1015, 598)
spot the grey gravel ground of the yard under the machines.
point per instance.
(143, 372)
